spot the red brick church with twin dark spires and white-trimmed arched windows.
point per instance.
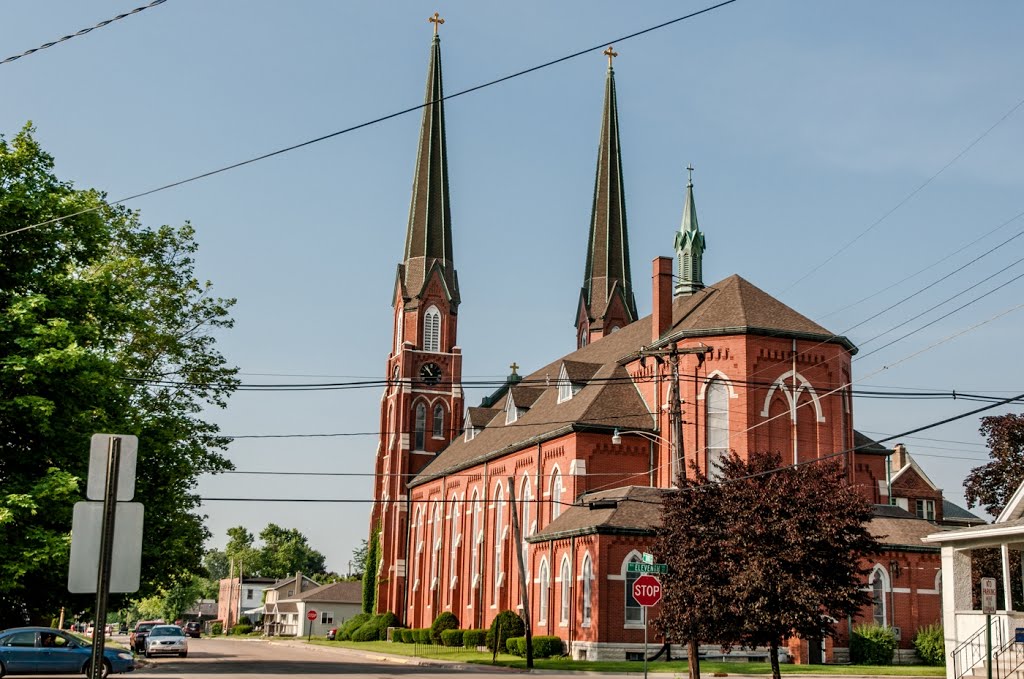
(715, 368)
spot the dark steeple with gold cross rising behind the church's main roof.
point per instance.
(607, 302)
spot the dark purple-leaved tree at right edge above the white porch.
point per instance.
(993, 484)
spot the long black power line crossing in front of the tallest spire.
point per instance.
(375, 121)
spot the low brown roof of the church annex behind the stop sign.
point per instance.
(629, 511)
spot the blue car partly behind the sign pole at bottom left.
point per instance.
(46, 651)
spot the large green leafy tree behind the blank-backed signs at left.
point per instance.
(104, 328)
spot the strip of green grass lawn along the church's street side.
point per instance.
(677, 667)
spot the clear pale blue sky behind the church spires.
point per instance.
(807, 122)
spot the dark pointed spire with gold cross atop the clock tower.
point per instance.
(429, 240)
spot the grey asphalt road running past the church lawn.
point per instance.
(220, 659)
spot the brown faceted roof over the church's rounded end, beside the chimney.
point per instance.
(737, 307)
